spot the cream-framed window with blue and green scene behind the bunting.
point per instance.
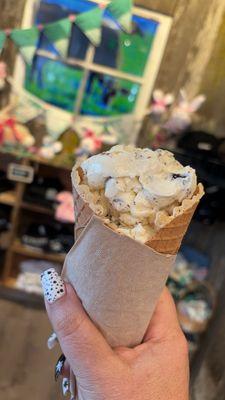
(113, 79)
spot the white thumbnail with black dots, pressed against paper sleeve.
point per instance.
(53, 285)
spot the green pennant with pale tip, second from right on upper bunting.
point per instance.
(90, 23)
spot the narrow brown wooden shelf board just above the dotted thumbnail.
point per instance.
(19, 248)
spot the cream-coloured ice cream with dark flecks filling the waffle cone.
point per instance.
(129, 187)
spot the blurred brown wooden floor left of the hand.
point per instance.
(26, 370)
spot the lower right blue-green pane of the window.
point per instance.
(108, 96)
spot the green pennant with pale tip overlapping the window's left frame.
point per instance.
(26, 40)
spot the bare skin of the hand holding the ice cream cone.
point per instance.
(157, 369)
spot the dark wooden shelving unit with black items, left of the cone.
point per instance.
(26, 204)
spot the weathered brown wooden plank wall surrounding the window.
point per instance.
(195, 54)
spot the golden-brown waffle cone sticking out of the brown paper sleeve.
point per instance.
(171, 230)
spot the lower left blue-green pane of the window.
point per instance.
(54, 82)
